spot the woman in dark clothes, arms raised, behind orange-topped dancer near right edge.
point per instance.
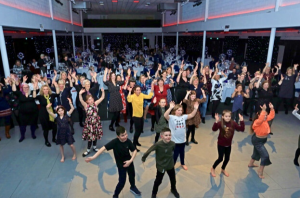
(286, 90)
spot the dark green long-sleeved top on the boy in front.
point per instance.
(164, 155)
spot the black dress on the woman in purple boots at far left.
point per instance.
(28, 110)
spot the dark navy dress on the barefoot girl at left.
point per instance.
(64, 134)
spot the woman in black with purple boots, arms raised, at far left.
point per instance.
(27, 106)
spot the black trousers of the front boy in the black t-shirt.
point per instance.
(122, 178)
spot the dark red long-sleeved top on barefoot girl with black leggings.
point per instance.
(226, 141)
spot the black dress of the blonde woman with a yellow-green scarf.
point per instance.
(43, 114)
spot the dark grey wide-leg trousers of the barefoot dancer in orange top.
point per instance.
(260, 151)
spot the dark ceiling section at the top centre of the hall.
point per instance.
(125, 7)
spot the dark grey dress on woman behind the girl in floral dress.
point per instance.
(115, 99)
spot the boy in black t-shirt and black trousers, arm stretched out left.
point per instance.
(121, 146)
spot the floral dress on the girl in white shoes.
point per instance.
(92, 129)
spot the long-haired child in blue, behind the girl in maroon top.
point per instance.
(238, 97)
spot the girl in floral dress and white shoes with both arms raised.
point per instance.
(92, 127)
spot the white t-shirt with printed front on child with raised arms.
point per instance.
(178, 128)
